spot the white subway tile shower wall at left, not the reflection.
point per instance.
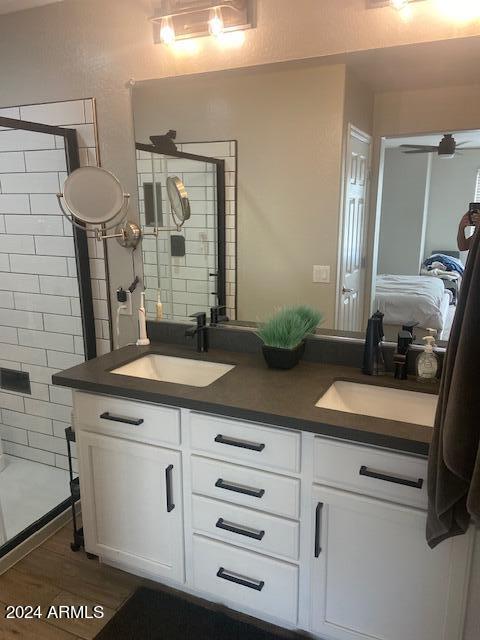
(40, 324)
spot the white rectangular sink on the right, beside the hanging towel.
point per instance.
(380, 402)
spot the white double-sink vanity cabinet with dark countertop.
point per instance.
(242, 494)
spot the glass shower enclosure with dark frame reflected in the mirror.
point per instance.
(184, 267)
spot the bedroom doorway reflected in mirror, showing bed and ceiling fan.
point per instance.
(426, 186)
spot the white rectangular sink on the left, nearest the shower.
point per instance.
(194, 373)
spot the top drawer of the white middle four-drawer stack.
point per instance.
(248, 443)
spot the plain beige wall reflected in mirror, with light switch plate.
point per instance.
(288, 121)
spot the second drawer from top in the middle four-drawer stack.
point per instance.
(247, 487)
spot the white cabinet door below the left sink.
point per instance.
(132, 511)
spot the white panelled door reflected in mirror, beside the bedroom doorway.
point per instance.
(353, 234)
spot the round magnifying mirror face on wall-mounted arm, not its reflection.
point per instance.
(93, 195)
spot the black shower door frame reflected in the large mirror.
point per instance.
(221, 206)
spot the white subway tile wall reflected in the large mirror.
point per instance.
(185, 284)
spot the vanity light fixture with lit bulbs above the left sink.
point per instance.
(176, 20)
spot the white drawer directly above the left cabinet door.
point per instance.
(128, 418)
